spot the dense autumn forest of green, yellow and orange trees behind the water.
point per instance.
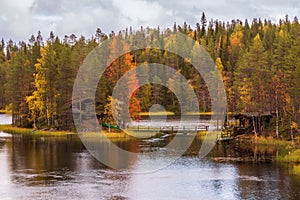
(259, 61)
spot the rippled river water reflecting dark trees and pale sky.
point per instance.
(61, 168)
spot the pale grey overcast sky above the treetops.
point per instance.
(21, 18)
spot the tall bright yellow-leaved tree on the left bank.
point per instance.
(43, 101)
